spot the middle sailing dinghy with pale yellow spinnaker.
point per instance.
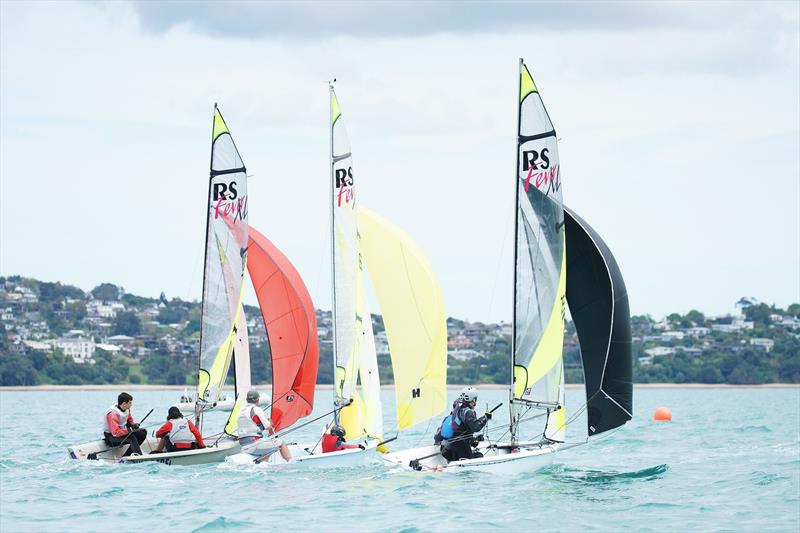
(412, 307)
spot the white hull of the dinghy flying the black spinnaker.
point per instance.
(498, 458)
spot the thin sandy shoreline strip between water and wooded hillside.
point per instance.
(326, 387)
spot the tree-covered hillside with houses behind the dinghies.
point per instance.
(134, 339)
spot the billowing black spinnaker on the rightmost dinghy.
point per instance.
(598, 303)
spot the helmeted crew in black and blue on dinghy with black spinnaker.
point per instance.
(456, 434)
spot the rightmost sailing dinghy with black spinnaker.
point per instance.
(559, 260)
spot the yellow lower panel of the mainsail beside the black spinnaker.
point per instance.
(549, 350)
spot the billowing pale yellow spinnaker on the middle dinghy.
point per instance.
(412, 306)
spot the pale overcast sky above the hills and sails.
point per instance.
(679, 128)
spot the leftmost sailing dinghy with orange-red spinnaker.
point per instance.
(224, 327)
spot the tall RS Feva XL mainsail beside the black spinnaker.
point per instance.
(539, 273)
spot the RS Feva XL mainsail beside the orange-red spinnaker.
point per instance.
(225, 261)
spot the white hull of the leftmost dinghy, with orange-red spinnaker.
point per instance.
(100, 451)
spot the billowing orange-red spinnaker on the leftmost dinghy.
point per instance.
(291, 327)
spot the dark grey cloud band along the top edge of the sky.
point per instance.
(322, 19)
